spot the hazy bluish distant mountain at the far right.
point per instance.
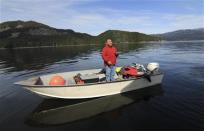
(188, 34)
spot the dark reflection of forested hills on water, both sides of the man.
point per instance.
(39, 58)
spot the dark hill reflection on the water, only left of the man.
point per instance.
(37, 58)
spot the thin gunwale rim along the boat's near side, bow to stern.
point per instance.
(88, 84)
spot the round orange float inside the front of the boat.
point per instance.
(57, 81)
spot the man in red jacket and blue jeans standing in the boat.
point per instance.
(109, 55)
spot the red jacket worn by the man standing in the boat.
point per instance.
(109, 54)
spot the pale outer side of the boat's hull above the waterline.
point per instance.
(94, 90)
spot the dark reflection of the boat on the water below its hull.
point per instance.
(54, 112)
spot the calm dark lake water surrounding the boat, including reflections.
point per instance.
(177, 104)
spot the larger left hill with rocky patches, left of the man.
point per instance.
(30, 33)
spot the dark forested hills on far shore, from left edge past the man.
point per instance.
(34, 34)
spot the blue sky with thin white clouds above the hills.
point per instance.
(96, 16)
